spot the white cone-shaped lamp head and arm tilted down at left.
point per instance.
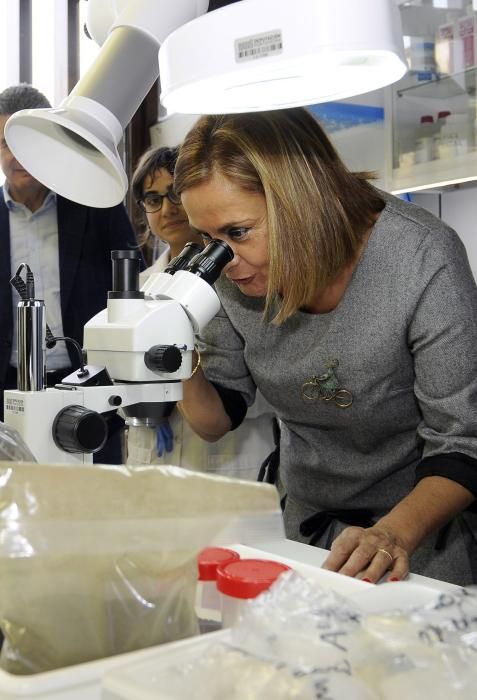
(73, 149)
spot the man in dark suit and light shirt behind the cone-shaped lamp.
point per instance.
(68, 248)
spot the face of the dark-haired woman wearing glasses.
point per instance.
(170, 223)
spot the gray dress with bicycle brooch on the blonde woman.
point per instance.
(403, 344)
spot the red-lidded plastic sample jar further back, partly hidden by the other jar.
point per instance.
(208, 598)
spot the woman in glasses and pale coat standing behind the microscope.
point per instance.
(241, 452)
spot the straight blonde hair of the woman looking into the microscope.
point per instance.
(317, 210)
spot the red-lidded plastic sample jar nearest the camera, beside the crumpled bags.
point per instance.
(242, 580)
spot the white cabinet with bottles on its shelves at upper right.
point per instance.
(432, 110)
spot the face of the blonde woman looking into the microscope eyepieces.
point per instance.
(221, 210)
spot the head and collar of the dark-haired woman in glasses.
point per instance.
(164, 217)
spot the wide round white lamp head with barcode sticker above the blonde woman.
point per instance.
(264, 54)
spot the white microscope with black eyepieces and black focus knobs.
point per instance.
(139, 349)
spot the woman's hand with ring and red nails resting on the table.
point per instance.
(368, 554)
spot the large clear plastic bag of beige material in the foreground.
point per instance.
(99, 560)
